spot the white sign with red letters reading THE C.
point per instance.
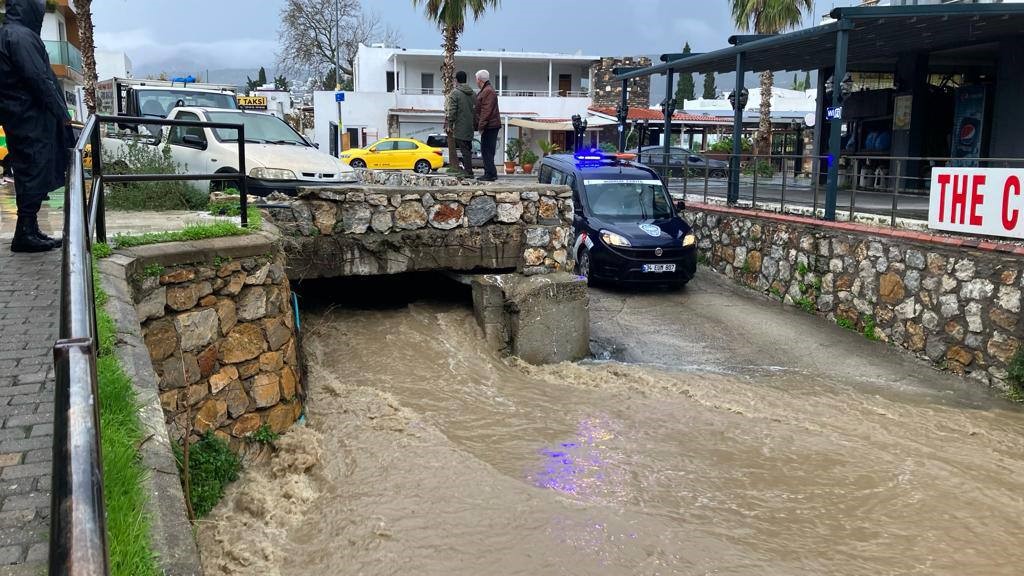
(980, 201)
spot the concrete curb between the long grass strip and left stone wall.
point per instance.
(172, 533)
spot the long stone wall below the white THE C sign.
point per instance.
(955, 303)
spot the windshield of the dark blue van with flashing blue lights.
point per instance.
(628, 200)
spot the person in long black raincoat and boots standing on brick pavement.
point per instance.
(34, 114)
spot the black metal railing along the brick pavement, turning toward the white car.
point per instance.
(78, 529)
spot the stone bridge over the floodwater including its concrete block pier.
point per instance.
(510, 242)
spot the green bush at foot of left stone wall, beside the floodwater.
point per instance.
(212, 467)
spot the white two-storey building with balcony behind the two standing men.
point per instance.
(399, 93)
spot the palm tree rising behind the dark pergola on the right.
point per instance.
(769, 17)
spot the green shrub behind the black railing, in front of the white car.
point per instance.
(140, 158)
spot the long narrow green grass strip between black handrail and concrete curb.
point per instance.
(121, 435)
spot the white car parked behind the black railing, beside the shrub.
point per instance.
(278, 158)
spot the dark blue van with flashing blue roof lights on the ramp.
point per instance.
(625, 227)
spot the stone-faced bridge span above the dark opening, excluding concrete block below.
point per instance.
(374, 230)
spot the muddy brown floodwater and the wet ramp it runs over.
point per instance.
(693, 447)
